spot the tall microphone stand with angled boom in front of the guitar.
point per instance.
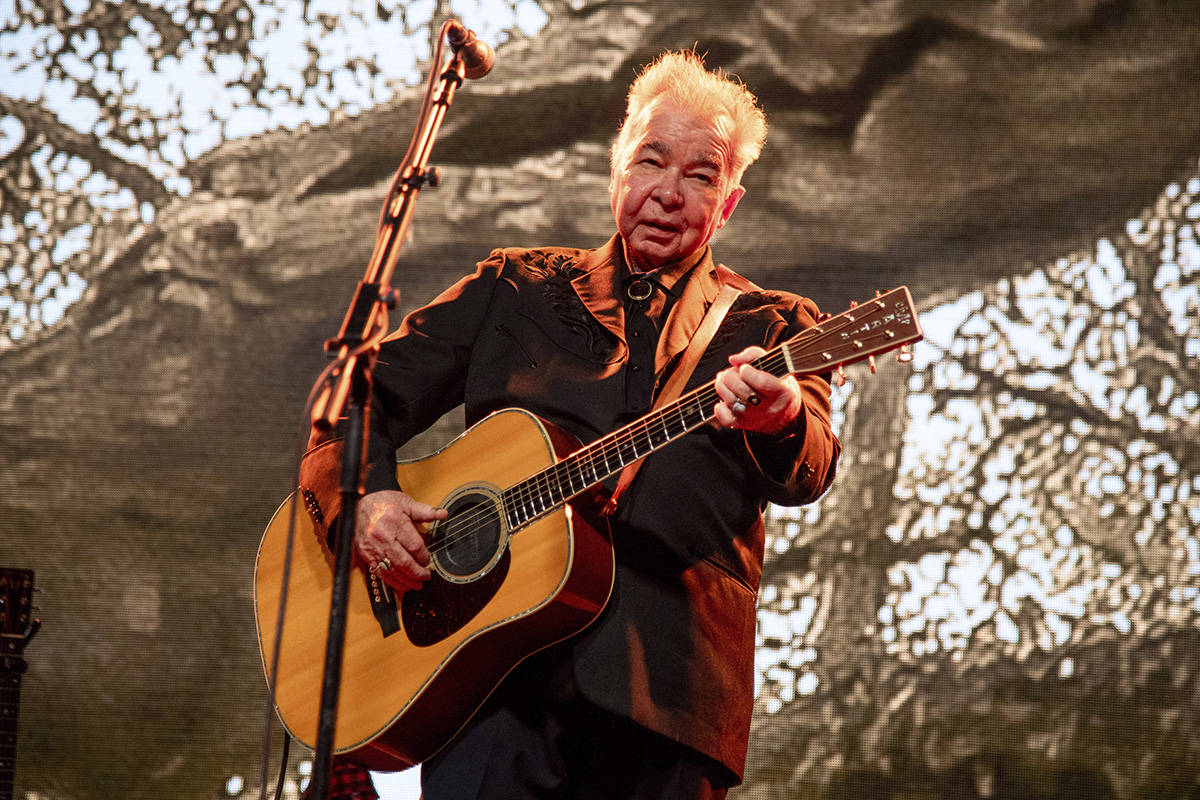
(349, 392)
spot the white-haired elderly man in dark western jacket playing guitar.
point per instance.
(653, 700)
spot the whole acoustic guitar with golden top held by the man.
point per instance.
(521, 562)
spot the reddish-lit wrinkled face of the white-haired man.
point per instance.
(671, 187)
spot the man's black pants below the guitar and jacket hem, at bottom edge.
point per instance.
(537, 739)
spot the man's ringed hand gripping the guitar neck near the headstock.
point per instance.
(753, 400)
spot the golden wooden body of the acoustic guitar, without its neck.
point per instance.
(416, 669)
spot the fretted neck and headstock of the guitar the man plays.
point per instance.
(883, 324)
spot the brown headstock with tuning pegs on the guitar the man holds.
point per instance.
(889, 322)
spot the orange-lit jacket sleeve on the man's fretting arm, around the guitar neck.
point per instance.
(799, 465)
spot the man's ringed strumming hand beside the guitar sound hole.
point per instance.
(391, 531)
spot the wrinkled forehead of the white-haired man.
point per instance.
(668, 127)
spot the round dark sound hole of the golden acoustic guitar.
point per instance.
(471, 539)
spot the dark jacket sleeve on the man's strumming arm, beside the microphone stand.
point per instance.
(422, 370)
